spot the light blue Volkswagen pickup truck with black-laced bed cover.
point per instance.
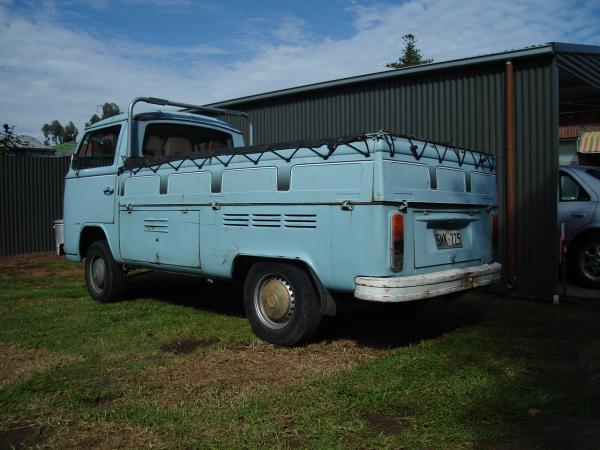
(385, 217)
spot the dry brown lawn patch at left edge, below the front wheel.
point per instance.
(17, 363)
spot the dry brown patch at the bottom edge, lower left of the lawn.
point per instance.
(102, 435)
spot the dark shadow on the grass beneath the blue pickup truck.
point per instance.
(367, 324)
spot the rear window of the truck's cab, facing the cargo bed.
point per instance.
(165, 139)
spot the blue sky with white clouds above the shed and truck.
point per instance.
(60, 59)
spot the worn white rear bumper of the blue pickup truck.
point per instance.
(417, 287)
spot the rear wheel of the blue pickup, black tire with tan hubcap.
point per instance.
(282, 304)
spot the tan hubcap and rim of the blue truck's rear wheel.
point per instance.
(274, 301)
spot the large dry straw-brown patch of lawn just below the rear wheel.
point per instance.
(243, 368)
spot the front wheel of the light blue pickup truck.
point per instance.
(104, 278)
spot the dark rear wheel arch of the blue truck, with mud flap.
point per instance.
(242, 263)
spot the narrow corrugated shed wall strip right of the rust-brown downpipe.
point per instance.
(536, 147)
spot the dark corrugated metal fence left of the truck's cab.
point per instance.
(31, 197)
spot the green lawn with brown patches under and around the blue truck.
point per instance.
(177, 366)
